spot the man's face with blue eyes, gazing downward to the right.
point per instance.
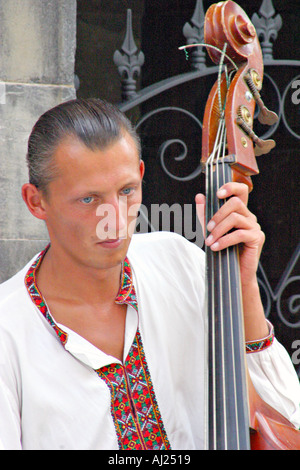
(91, 206)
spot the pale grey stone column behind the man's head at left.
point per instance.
(37, 54)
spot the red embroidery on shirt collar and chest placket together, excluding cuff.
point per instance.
(134, 408)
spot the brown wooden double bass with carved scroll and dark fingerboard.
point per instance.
(238, 418)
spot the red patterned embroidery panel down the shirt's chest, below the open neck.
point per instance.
(134, 408)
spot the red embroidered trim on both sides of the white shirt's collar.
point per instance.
(126, 294)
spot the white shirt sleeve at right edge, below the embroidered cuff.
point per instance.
(275, 380)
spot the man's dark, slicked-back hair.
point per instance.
(94, 122)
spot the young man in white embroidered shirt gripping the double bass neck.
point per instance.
(102, 334)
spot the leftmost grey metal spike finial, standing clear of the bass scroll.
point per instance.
(129, 61)
